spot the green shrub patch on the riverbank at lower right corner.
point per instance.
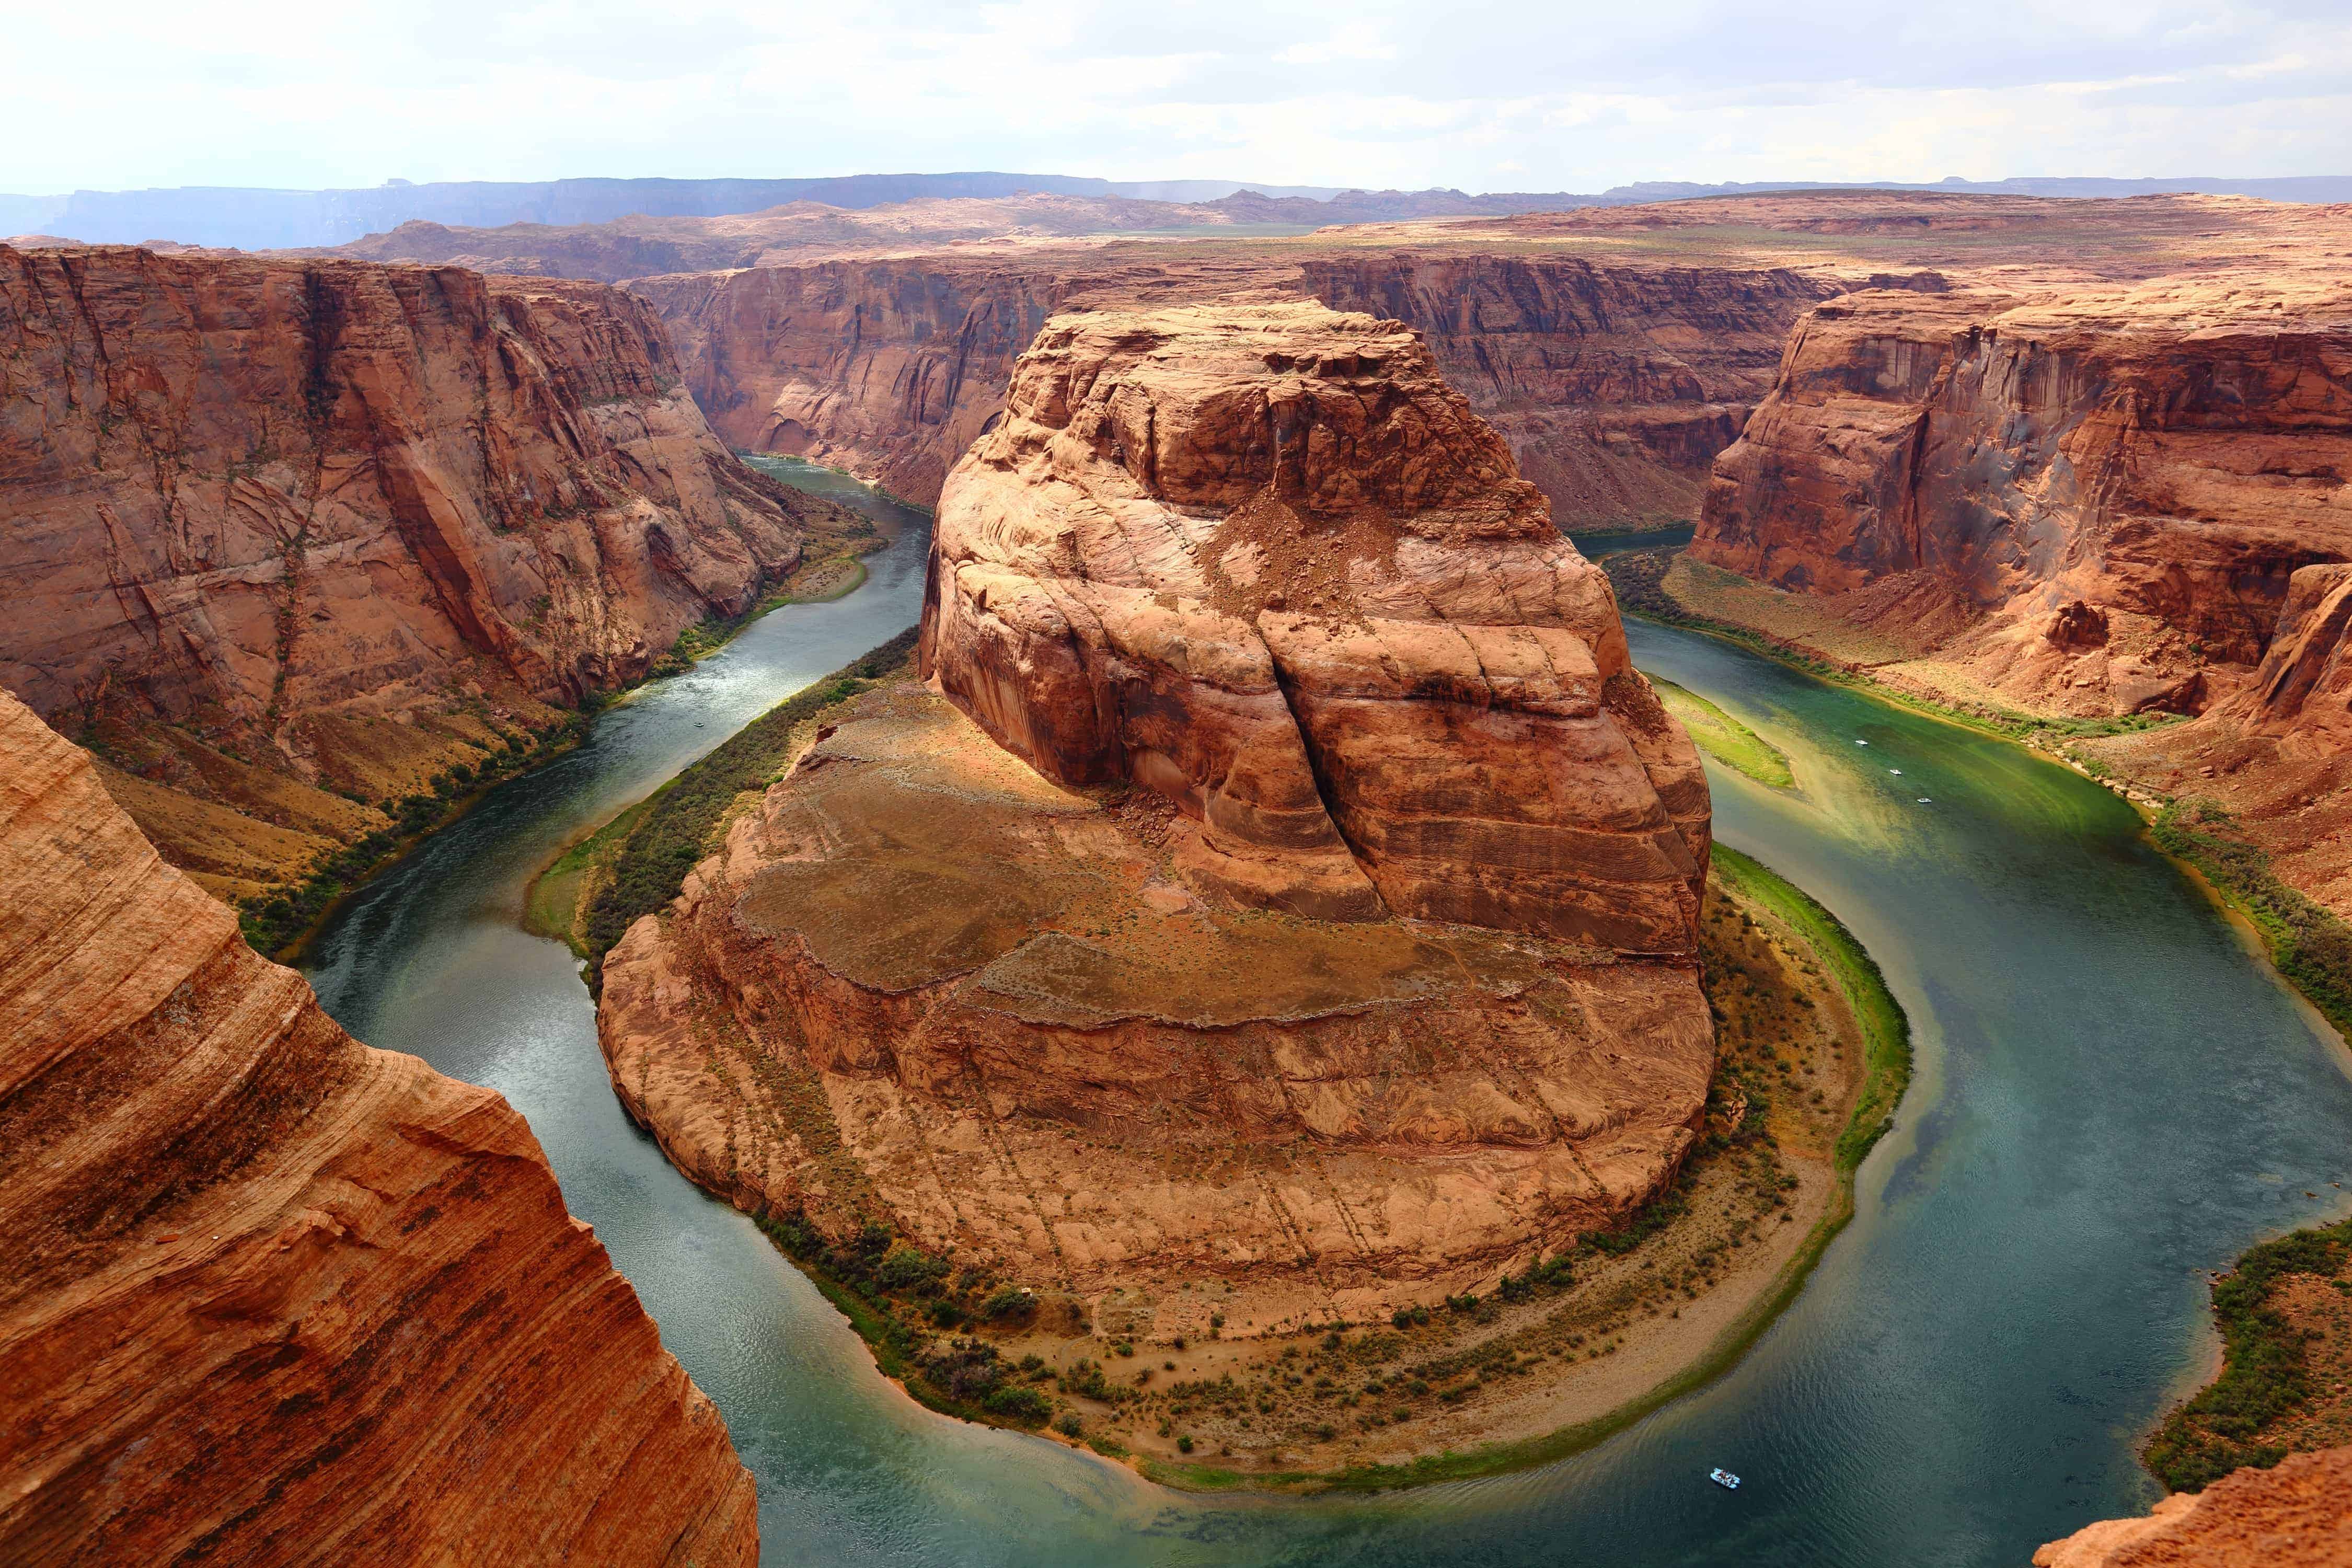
(2264, 1367)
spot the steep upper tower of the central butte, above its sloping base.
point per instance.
(1267, 563)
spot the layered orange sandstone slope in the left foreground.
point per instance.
(274, 1296)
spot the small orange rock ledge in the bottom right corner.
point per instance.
(2292, 1517)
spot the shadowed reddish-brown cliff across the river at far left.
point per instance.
(276, 507)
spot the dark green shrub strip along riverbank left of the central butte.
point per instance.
(679, 822)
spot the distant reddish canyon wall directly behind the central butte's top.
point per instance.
(1615, 387)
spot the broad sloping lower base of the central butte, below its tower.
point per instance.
(930, 989)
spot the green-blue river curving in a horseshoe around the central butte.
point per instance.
(2113, 1094)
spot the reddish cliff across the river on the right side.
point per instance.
(2146, 464)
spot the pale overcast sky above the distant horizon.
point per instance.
(1502, 98)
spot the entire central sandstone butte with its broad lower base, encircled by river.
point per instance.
(1292, 892)
